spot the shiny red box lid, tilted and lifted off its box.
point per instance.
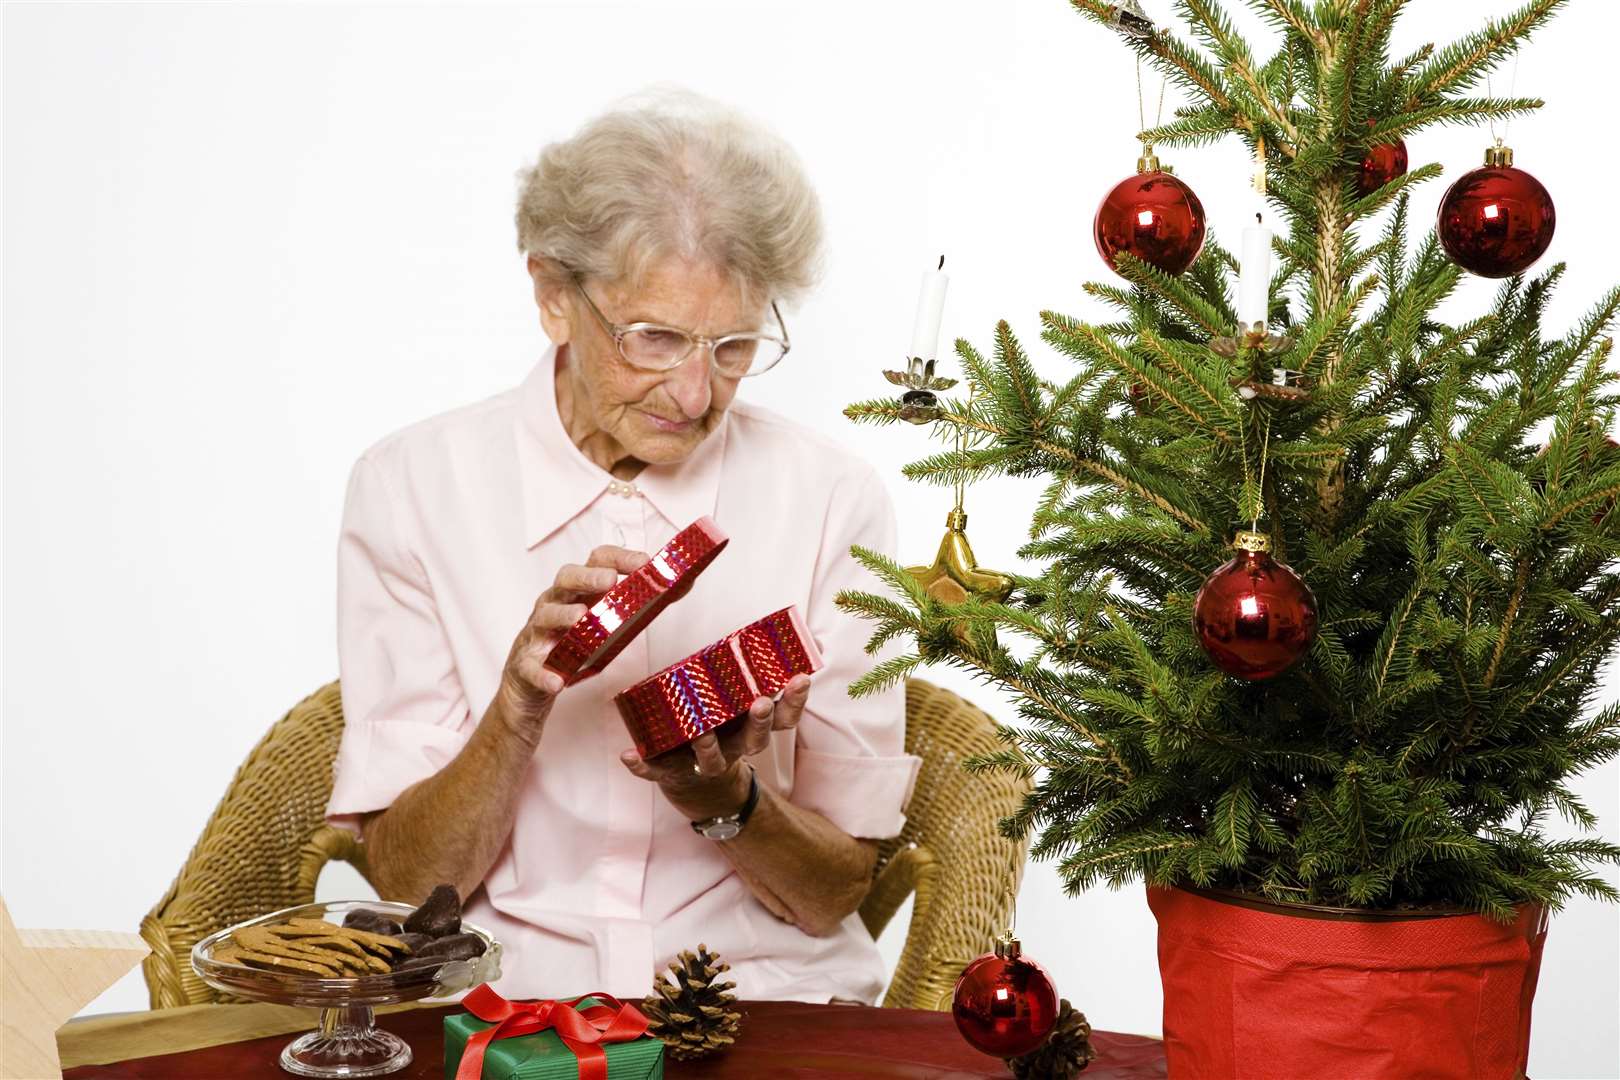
(628, 608)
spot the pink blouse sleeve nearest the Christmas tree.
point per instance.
(851, 763)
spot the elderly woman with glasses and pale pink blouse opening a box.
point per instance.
(662, 242)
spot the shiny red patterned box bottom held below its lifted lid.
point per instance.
(718, 684)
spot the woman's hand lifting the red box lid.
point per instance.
(527, 687)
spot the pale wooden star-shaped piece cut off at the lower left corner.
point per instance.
(49, 976)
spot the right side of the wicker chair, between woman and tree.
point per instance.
(950, 853)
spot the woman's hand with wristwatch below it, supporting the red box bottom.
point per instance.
(707, 780)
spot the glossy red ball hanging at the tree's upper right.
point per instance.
(1496, 221)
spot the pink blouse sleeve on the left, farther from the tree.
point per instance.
(406, 715)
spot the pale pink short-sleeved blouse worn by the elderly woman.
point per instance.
(456, 525)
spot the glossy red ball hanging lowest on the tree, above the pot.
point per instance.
(1255, 616)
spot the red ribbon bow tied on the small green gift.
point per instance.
(582, 1031)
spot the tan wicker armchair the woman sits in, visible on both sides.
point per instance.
(266, 844)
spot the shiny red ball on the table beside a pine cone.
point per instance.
(1005, 1003)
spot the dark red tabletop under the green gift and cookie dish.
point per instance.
(780, 1042)
